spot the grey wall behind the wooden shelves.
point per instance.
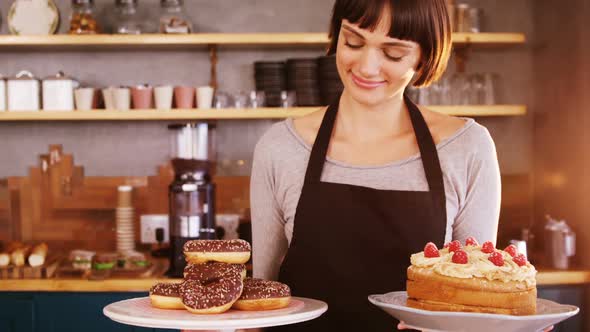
(136, 148)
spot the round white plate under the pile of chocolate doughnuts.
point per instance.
(139, 312)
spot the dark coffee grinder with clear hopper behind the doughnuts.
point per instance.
(192, 193)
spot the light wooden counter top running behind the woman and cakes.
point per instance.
(544, 278)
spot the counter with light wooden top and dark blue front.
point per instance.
(60, 304)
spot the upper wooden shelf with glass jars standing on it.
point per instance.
(204, 39)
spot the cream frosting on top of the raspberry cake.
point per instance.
(478, 266)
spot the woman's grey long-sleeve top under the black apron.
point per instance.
(470, 169)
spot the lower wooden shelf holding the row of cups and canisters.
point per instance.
(229, 114)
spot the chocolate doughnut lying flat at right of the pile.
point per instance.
(261, 294)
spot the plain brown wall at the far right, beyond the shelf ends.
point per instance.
(562, 82)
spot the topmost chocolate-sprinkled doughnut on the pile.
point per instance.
(224, 251)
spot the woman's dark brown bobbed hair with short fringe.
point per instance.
(422, 24)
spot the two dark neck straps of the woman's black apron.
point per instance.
(426, 145)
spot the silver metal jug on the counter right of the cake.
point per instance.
(560, 243)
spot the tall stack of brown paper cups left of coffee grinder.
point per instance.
(124, 219)
